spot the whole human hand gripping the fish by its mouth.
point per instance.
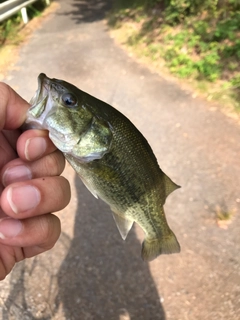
(30, 185)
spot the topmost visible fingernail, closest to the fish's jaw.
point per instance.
(35, 148)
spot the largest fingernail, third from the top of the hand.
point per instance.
(23, 198)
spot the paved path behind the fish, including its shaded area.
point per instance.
(92, 274)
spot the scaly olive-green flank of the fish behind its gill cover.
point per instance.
(125, 188)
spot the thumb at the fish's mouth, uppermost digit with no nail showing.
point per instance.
(13, 108)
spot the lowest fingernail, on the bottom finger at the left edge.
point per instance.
(9, 228)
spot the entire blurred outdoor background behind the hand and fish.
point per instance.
(172, 67)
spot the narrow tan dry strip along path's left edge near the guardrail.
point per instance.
(9, 53)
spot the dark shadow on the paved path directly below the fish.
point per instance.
(106, 277)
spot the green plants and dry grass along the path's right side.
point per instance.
(198, 40)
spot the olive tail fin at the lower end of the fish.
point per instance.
(152, 248)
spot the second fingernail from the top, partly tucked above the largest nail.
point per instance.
(16, 174)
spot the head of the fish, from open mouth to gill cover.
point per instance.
(60, 108)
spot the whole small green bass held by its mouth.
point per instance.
(111, 156)
